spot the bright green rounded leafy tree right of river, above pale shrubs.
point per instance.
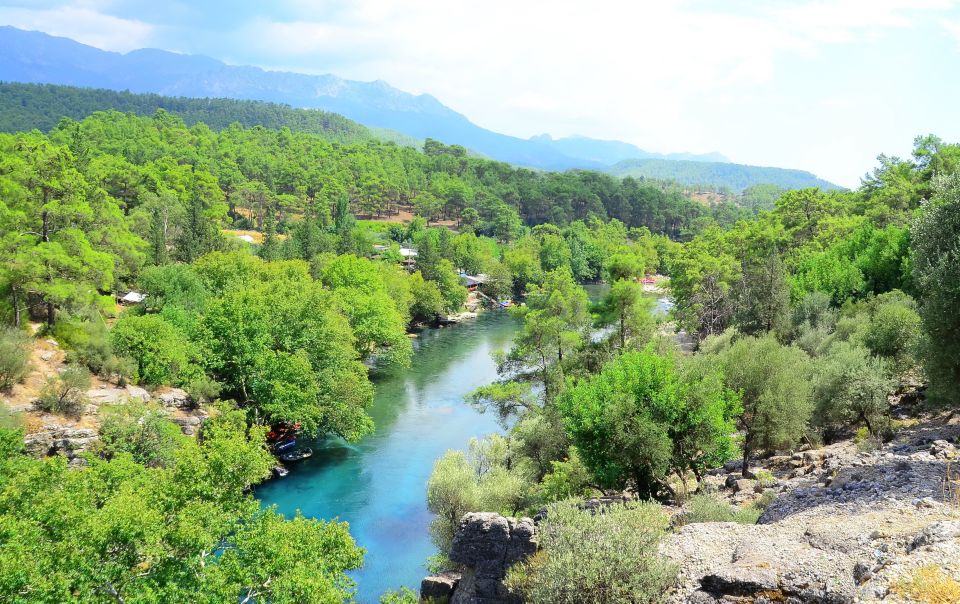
(642, 418)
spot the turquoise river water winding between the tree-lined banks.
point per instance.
(379, 484)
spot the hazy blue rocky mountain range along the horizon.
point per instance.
(36, 57)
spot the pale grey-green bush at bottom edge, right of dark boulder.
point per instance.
(585, 558)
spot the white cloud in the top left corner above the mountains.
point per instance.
(82, 21)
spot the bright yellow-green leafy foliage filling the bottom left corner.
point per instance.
(186, 530)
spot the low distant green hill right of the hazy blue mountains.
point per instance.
(735, 176)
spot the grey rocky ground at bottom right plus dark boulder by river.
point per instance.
(847, 525)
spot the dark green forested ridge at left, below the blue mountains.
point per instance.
(26, 107)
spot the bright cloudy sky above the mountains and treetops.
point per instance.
(820, 86)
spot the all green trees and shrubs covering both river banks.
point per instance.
(804, 317)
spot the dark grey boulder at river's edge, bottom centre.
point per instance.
(486, 545)
